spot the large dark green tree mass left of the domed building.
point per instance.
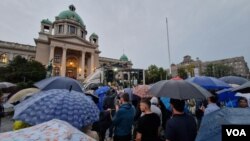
(22, 70)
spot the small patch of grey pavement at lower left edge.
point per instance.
(6, 123)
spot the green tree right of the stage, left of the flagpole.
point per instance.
(154, 74)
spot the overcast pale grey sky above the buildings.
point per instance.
(208, 29)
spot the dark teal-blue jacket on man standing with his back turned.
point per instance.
(123, 120)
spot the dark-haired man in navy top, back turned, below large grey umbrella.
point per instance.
(181, 127)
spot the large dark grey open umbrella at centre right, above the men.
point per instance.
(178, 89)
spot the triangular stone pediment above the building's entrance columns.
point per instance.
(73, 40)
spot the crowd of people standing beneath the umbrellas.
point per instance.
(147, 119)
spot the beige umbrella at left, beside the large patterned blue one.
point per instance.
(20, 95)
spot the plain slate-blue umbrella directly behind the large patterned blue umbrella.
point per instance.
(59, 82)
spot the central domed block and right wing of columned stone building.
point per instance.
(64, 43)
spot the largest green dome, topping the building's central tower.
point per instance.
(70, 14)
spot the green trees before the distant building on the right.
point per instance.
(218, 70)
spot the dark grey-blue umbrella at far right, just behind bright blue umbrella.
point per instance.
(234, 80)
